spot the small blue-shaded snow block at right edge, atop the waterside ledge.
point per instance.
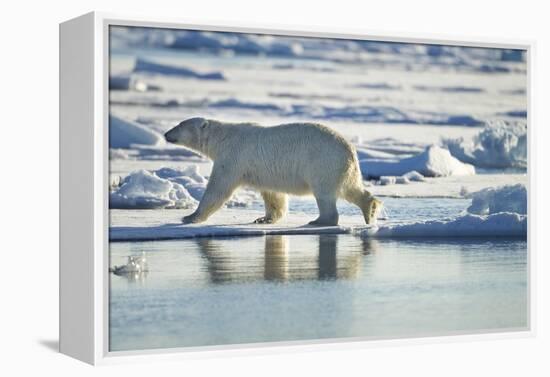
(500, 199)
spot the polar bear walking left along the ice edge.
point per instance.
(296, 158)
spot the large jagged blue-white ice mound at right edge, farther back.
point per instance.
(500, 144)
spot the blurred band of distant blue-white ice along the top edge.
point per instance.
(380, 54)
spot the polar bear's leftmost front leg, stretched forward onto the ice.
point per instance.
(219, 189)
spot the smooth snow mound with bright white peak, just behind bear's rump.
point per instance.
(433, 162)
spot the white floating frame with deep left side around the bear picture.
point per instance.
(84, 164)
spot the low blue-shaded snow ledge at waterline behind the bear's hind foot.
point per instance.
(503, 224)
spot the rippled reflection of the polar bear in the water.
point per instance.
(278, 264)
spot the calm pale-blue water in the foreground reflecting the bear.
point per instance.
(279, 288)
